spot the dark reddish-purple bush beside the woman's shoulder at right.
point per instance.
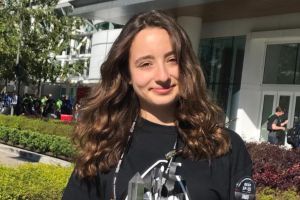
(275, 167)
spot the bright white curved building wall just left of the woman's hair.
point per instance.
(101, 44)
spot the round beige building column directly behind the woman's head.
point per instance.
(192, 26)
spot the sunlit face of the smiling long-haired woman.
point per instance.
(153, 67)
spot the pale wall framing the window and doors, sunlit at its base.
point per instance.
(249, 105)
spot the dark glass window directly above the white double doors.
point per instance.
(280, 64)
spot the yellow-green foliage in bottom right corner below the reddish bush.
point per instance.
(266, 193)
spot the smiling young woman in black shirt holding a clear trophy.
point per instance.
(152, 101)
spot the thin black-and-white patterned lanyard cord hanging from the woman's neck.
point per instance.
(169, 156)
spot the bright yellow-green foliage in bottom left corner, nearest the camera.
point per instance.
(33, 181)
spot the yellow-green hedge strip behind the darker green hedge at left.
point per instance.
(50, 127)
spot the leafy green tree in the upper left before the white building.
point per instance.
(42, 34)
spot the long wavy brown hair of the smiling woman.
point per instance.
(108, 112)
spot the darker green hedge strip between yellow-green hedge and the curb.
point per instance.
(58, 146)
